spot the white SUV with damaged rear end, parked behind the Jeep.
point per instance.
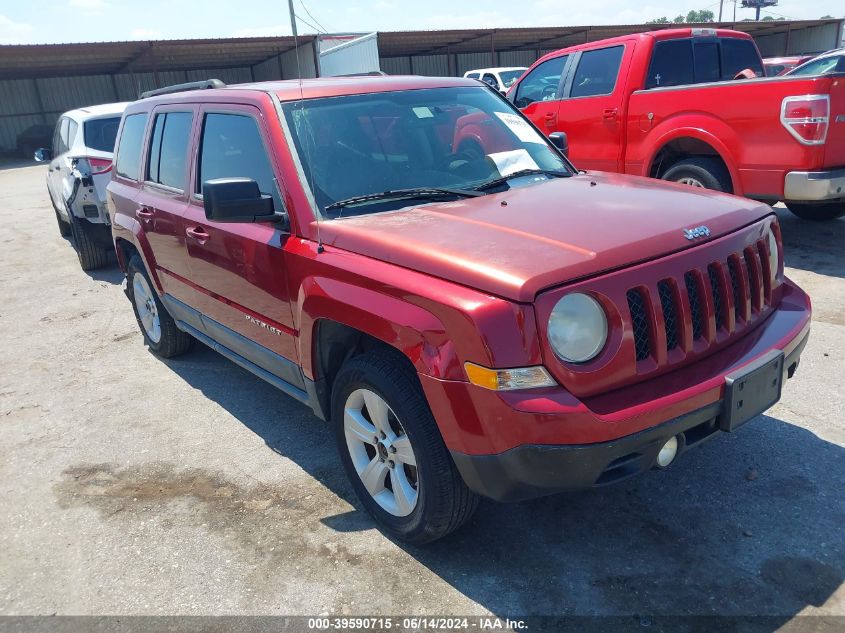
(80, 162)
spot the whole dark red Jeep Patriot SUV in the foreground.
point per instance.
(472, 322)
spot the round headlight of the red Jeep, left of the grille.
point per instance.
(577, 328)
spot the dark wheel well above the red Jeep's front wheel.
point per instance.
(334, 344)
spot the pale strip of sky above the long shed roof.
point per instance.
(57, 21)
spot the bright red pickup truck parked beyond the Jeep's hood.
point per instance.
(668, 104)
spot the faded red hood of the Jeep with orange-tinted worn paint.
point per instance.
(516, 243)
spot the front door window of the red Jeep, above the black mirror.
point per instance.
(232, 148)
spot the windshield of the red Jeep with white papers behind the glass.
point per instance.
(455, 138)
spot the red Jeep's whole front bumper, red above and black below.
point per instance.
(522, 444)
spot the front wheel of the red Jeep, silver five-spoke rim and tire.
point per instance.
(393, 452)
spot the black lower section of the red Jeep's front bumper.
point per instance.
(535, 470)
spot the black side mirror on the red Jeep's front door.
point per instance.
(238, 200)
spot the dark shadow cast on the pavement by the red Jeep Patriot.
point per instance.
(747, 524)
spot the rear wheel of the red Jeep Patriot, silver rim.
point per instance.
(159, 329)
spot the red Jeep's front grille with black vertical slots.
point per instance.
(734, 287)
